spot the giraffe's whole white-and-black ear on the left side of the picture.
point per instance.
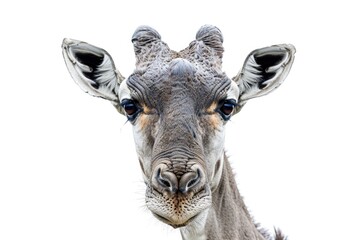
(93, 69)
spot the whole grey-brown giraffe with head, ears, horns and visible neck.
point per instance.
(178, 104)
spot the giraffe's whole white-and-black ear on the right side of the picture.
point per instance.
(264, 70)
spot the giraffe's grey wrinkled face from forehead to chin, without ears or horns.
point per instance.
(178, 126)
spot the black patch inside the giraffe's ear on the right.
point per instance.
(265, 61)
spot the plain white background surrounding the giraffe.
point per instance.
(68, 168)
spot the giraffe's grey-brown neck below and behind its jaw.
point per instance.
(227, 218)
